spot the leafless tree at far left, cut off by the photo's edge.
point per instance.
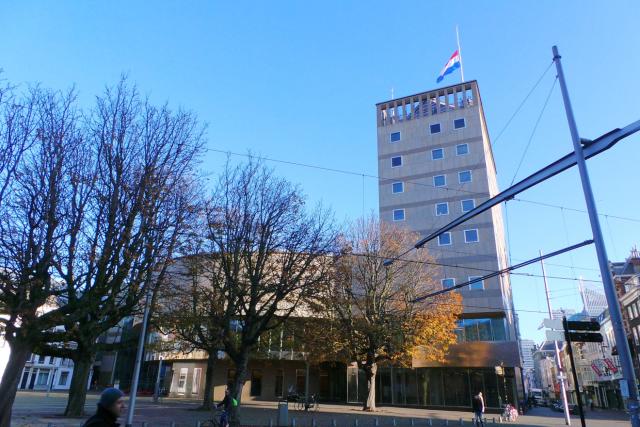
(39, 145)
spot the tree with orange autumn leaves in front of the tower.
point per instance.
(368, 314)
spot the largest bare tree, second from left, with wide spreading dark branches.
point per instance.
(117, 197)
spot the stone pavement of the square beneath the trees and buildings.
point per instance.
(36, 410)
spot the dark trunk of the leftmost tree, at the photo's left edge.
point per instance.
(10, 379)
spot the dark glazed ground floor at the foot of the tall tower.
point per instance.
(434, 387)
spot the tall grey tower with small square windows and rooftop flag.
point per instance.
(435, 163)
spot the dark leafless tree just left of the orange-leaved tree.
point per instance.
(272, 253)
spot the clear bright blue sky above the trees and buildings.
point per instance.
(298, 81)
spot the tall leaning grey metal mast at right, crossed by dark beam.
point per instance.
(609, 288)
